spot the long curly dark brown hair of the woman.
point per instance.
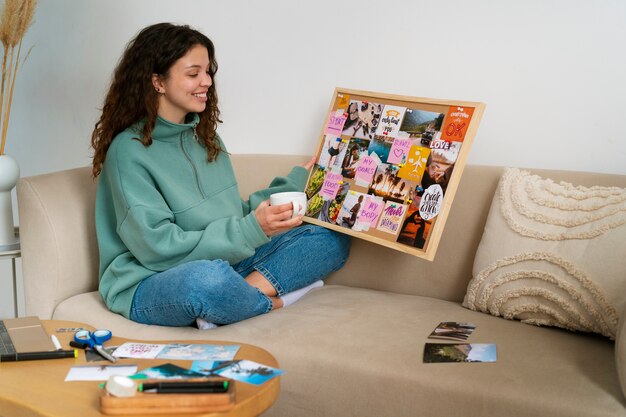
(132, 97)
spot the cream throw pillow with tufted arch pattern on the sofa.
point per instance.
(552, 254)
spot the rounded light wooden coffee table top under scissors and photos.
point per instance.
(38, 388)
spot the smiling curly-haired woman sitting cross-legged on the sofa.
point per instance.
(176, 241)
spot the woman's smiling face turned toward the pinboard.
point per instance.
(184, 88)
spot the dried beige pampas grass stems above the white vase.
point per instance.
(16, 18)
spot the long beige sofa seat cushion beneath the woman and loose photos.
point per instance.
(359, 352)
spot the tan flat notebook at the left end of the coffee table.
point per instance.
(24, 334)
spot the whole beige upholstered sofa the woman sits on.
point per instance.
(353, 347)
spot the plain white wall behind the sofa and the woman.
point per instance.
(550, 71)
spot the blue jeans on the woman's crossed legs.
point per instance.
(217, 291)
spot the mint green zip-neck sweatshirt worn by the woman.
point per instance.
(164, 205)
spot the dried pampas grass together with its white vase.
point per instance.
(15, 19)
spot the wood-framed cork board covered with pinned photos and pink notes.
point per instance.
(388, 166)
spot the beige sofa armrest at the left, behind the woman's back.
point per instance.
(58, 238)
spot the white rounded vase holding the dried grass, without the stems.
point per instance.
(9, 173)
